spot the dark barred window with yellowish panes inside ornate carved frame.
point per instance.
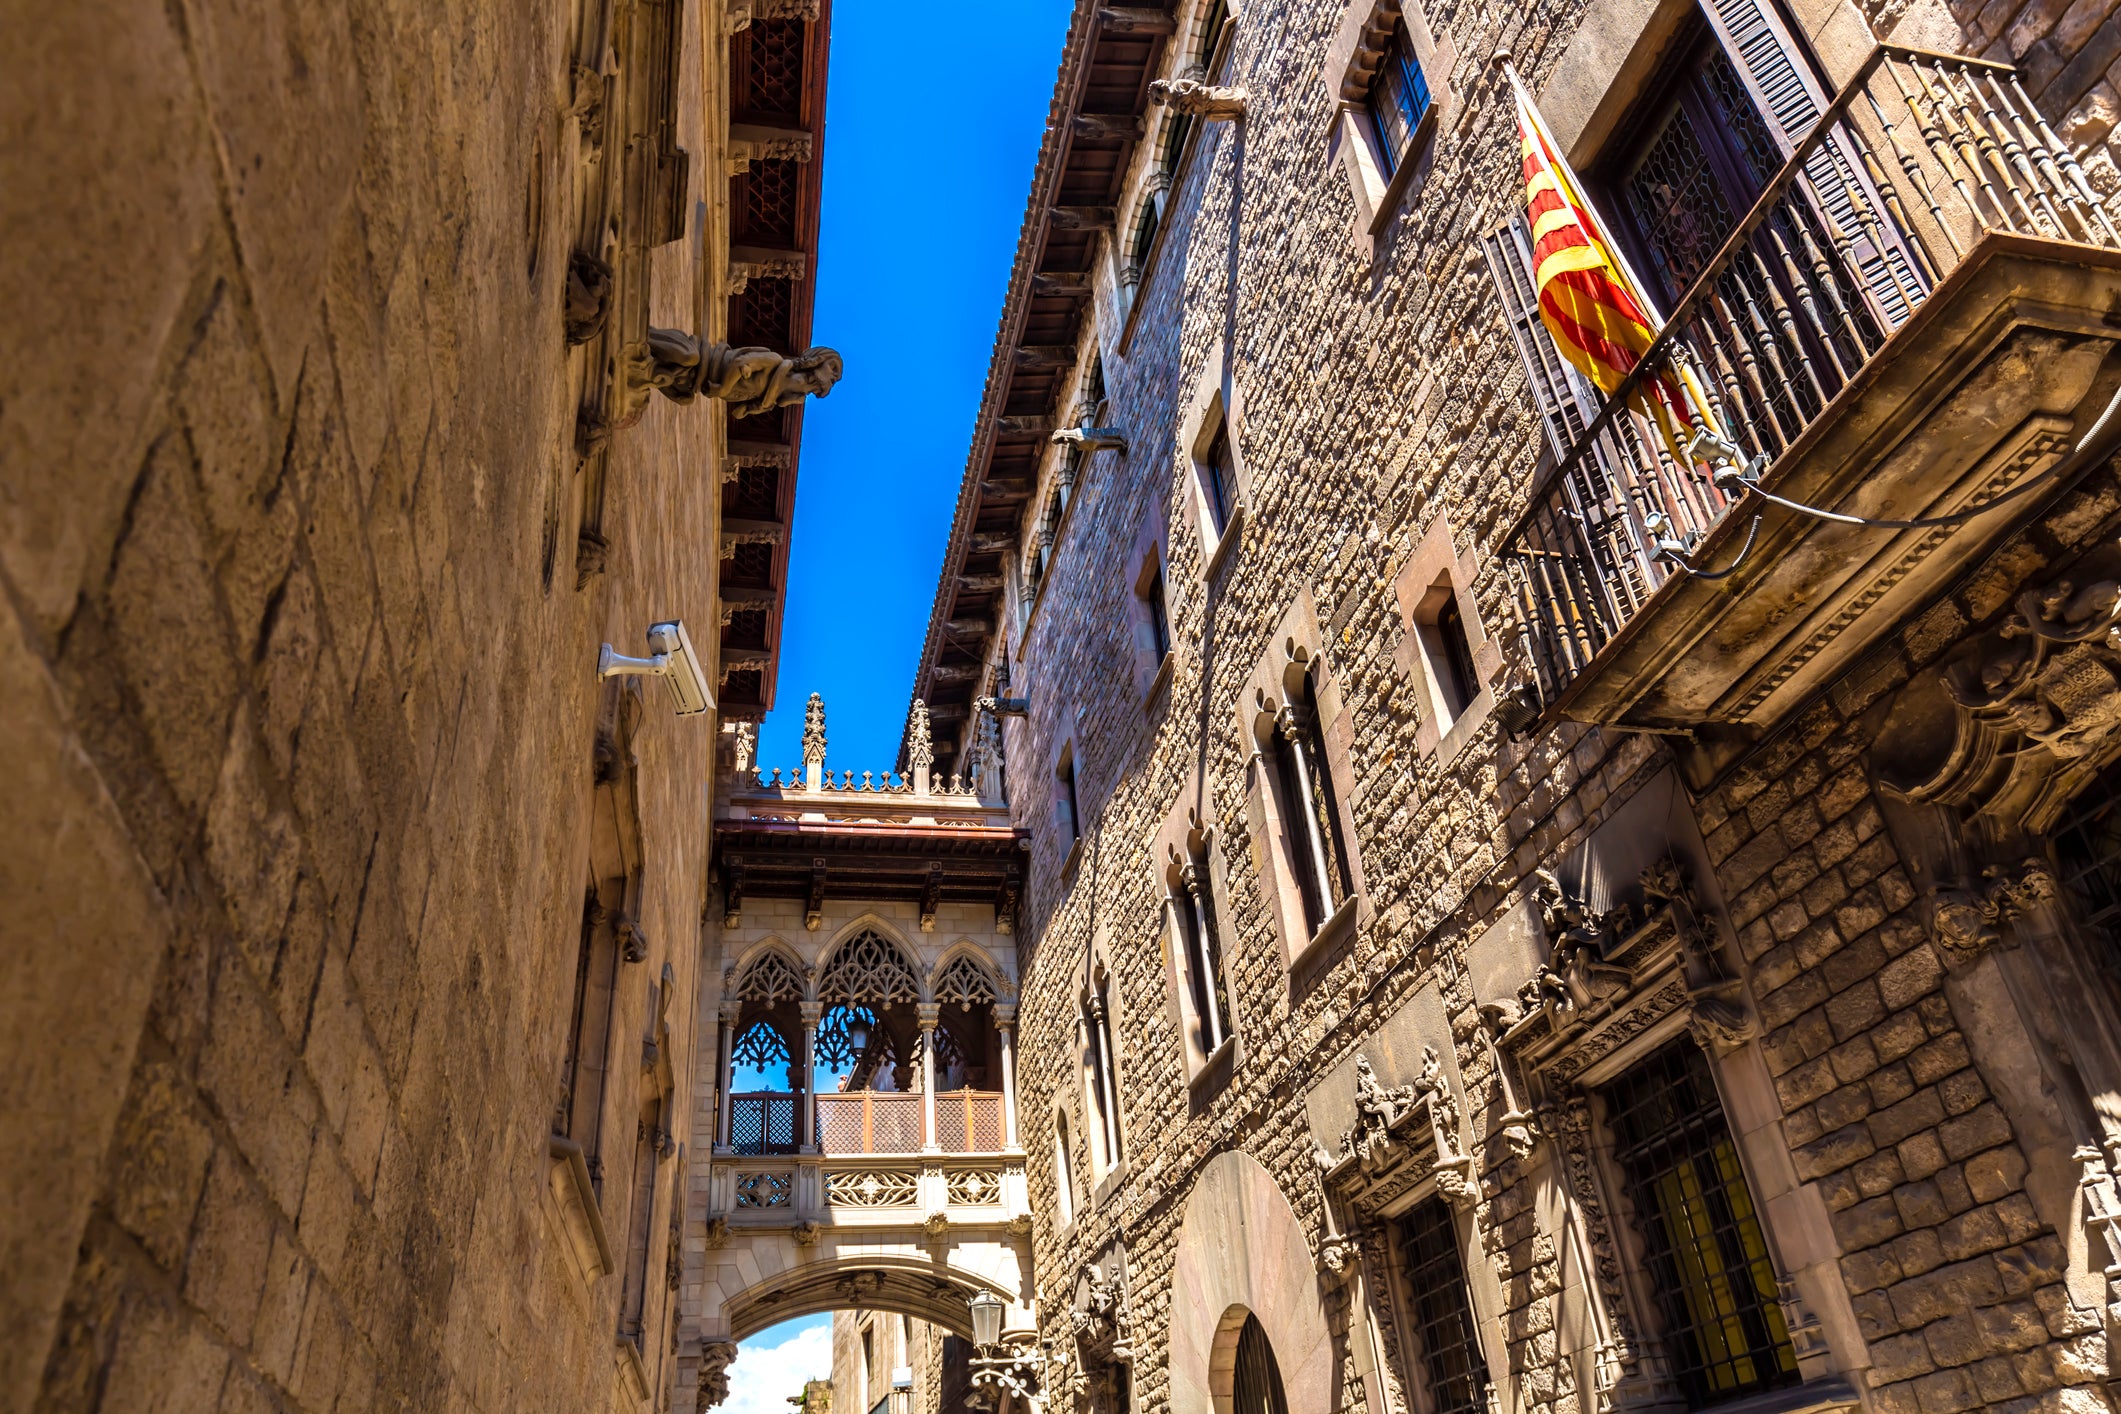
(1708, 1256)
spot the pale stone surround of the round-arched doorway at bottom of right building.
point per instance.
(1242, 1250)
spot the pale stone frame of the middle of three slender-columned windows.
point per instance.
(1191, 832)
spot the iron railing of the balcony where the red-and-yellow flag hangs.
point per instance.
(1908, 169)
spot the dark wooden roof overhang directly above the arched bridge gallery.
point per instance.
(926, 864)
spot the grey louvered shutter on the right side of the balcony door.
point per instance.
(1791, 101)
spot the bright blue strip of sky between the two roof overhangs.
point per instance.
(930, 141)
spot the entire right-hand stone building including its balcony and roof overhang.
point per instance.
(1520, 919)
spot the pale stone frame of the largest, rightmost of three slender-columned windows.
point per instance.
(1297, 648)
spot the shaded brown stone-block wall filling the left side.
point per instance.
(300, 745)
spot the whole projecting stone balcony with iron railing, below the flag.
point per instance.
(1910, 323)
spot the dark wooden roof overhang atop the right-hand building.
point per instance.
(1091, 132)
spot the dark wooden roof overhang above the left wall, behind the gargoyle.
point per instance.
(777, 82)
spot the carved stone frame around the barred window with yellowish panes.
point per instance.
(1647, 980)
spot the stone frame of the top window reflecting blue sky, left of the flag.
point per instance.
(1352, 143)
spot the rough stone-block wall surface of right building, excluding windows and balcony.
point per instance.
(1375, 395)
